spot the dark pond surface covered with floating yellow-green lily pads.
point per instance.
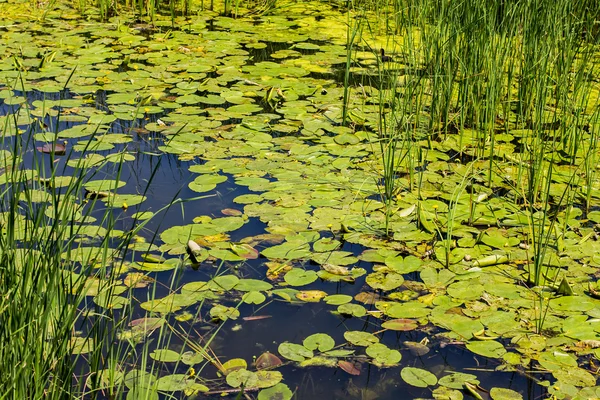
(228, 133)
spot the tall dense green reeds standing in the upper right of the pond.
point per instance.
(472, 73)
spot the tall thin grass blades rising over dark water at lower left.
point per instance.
(58, 245)
